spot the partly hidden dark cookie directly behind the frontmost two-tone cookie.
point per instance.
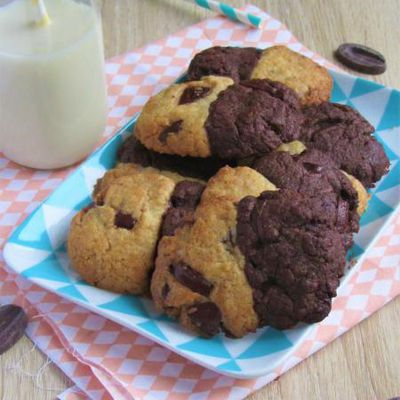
(313, 174)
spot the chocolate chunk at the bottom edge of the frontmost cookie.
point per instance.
(206, 317)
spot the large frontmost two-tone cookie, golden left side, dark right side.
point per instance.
(247, 254)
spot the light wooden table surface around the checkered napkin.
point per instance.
(362, 364)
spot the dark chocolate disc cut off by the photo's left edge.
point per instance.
(13, 321)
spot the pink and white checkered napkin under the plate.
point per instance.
(105, 360)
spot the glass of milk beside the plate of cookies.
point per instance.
(52, 85)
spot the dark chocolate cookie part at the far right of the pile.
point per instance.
(343, 134)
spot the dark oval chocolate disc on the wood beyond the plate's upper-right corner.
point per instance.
(361, 58)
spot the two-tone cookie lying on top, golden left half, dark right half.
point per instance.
(230, 122)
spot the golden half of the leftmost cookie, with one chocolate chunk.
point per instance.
(112, 243)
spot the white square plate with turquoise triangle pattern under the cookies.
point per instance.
(37, 248)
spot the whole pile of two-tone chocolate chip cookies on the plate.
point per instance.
(235, 200)
